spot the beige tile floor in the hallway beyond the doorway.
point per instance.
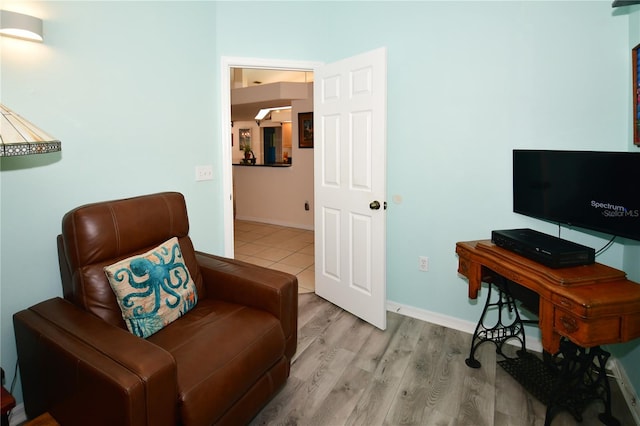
(278, 247)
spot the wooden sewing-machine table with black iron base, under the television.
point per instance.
(579, 309)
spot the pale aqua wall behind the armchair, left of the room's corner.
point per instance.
(130, 90)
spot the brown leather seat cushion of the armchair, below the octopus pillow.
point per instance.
(214, 346)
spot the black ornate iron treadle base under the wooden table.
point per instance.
(566, 381)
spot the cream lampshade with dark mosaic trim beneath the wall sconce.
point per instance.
(20, 137)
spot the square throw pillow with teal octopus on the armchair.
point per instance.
(153, 289)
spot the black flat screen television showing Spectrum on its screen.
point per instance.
(594, 190)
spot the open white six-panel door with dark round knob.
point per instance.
(350, 98)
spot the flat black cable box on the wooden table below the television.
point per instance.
(546, 249)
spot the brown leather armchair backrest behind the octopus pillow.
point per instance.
(100, 234)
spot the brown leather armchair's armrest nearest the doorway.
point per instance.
(251, 285)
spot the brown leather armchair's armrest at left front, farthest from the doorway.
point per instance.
(85, 371)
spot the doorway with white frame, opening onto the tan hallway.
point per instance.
(294, 251)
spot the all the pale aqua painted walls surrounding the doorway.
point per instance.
(131, 89)
